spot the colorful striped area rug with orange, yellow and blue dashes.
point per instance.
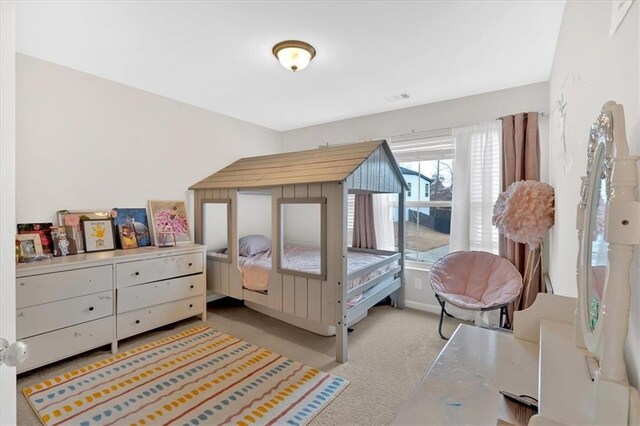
(197, 377)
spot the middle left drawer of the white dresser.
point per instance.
(52, 316)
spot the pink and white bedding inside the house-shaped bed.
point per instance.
(256, 269)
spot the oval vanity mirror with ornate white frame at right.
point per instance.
(608, 228)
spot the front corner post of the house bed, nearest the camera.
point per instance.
(339, 262)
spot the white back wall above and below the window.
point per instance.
(452, 113)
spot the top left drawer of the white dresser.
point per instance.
(38, 289)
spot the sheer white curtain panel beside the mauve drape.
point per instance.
(476, 186)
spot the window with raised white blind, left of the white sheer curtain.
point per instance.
(426, 161)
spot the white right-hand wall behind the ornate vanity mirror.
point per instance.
(589, 69)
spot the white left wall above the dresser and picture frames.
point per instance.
(84, 142)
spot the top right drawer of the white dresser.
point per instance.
(161, 268)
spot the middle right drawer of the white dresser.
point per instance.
(139, 296)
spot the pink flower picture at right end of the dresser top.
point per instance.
(169, 222)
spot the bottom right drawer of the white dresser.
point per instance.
(135, 322)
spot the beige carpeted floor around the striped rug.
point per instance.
(389, 351)
